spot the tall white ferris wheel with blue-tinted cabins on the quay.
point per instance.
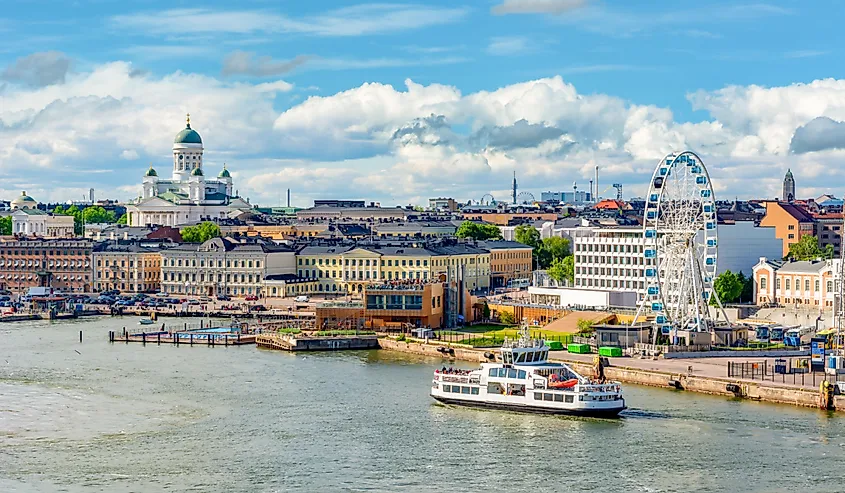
(680, 240)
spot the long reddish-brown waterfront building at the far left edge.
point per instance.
(63, 264)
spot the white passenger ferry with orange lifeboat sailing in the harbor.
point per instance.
(526, 381)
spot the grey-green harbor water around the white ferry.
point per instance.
(94, 416)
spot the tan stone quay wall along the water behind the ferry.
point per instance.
(742, 389)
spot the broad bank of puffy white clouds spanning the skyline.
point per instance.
(392, 145)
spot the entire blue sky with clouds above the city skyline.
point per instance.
(399, 102)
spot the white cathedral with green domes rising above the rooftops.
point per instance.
(187, 197)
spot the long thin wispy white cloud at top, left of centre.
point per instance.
(349, 21)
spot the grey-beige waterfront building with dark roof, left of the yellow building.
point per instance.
(224, 266)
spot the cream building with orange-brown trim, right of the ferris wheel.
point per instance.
(807, 284)
